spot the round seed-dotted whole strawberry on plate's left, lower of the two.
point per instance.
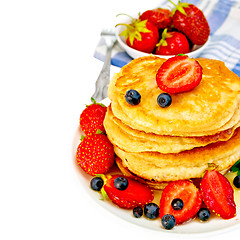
(95, 154)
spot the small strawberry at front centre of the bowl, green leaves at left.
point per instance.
(172, 43)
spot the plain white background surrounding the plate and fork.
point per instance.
(47, 73)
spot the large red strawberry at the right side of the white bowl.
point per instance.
(190, 20)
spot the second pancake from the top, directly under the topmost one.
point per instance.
(133, 140)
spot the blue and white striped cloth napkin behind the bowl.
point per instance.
(224, 20)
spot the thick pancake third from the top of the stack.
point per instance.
(184, 165)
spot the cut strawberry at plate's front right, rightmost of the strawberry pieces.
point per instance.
(217, 194)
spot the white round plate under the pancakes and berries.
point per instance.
(192, 228)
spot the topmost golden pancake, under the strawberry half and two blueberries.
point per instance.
(211, 107)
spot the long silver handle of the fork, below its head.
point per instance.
(101, 84)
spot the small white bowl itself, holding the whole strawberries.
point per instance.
(195, 51)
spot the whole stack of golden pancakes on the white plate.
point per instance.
(200, 127)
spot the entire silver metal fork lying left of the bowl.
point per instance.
(101, 85)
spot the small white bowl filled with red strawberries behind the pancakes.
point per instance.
(183, 30)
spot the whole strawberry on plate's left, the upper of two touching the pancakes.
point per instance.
(91, 119)
